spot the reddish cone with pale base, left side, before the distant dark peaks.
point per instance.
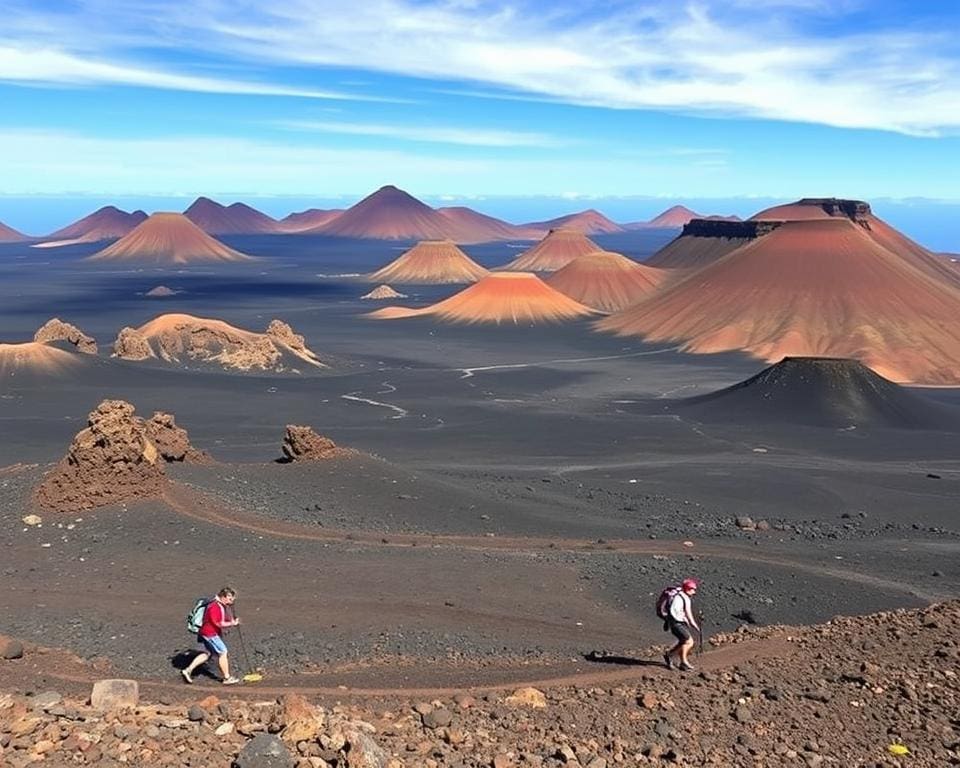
(168, 238)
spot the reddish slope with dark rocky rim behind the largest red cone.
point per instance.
(860, 213)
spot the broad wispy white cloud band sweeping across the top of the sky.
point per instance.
(705, 57)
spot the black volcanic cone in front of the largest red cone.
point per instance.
(822, 392)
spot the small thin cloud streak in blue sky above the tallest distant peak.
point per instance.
(430, 134)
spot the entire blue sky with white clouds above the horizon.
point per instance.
(472, 100)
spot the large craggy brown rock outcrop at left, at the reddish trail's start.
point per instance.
(117, 457)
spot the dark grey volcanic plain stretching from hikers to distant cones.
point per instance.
(514, 499)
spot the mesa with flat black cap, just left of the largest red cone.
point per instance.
(704, 241)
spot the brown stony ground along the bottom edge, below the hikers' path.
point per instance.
(878, 690)
